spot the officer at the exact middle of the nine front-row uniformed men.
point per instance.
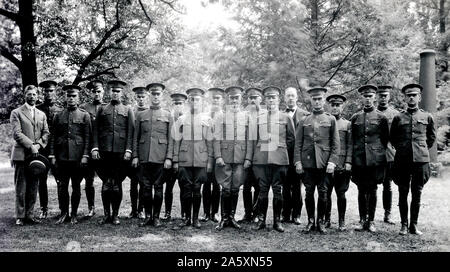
(230, 151)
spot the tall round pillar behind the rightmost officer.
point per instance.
(427, 79)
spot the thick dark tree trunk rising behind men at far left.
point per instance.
(28, 42)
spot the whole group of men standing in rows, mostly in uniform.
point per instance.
(222, 149)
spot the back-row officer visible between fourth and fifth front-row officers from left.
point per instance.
(211, 198)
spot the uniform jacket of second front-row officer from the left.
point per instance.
(113, 128)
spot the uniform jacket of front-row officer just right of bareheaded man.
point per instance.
(317, 141)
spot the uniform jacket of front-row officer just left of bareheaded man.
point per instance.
(275, 136)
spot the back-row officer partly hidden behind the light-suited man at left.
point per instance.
(50, 108)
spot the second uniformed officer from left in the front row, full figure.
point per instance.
(112, 144)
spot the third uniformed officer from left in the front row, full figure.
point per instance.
(153, 150)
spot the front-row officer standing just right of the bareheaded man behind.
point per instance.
(316, 154)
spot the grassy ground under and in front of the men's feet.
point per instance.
(128, 236)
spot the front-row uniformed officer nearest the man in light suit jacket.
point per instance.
(69, 151)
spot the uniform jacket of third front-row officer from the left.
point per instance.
(152, 141)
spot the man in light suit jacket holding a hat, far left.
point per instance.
(30, 131)
